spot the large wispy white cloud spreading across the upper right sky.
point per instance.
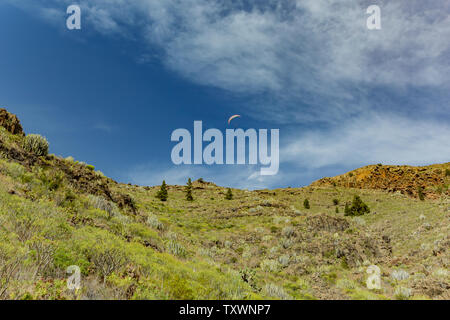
(310, 59)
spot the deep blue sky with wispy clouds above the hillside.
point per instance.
(341, 95)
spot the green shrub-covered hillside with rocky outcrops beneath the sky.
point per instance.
(57, 212)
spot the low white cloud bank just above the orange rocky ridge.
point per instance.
(388, 139)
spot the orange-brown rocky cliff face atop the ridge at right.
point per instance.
(432, 180)
